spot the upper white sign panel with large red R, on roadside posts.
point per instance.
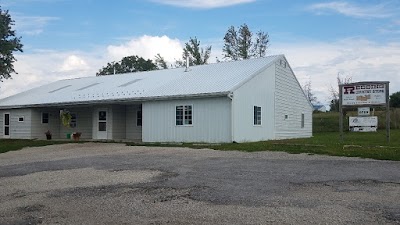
(363, 94)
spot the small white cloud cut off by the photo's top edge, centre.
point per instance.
(203, 4)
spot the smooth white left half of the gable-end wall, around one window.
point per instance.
(259, 91)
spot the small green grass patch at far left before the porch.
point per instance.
(7, 145)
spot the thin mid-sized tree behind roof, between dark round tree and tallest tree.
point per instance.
(195, 54)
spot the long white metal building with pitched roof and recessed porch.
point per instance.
(248, 100)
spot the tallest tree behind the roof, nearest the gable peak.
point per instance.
(240, 44)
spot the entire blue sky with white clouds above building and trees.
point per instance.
(357, 39)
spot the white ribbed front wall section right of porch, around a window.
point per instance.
(211, 121)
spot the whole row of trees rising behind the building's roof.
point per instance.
(239, 43)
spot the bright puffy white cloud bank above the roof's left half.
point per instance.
(46, 66)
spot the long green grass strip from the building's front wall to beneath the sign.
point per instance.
(364, 145)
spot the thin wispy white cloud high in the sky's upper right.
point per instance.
(352, 10)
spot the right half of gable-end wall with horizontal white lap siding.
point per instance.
(290, 101)
